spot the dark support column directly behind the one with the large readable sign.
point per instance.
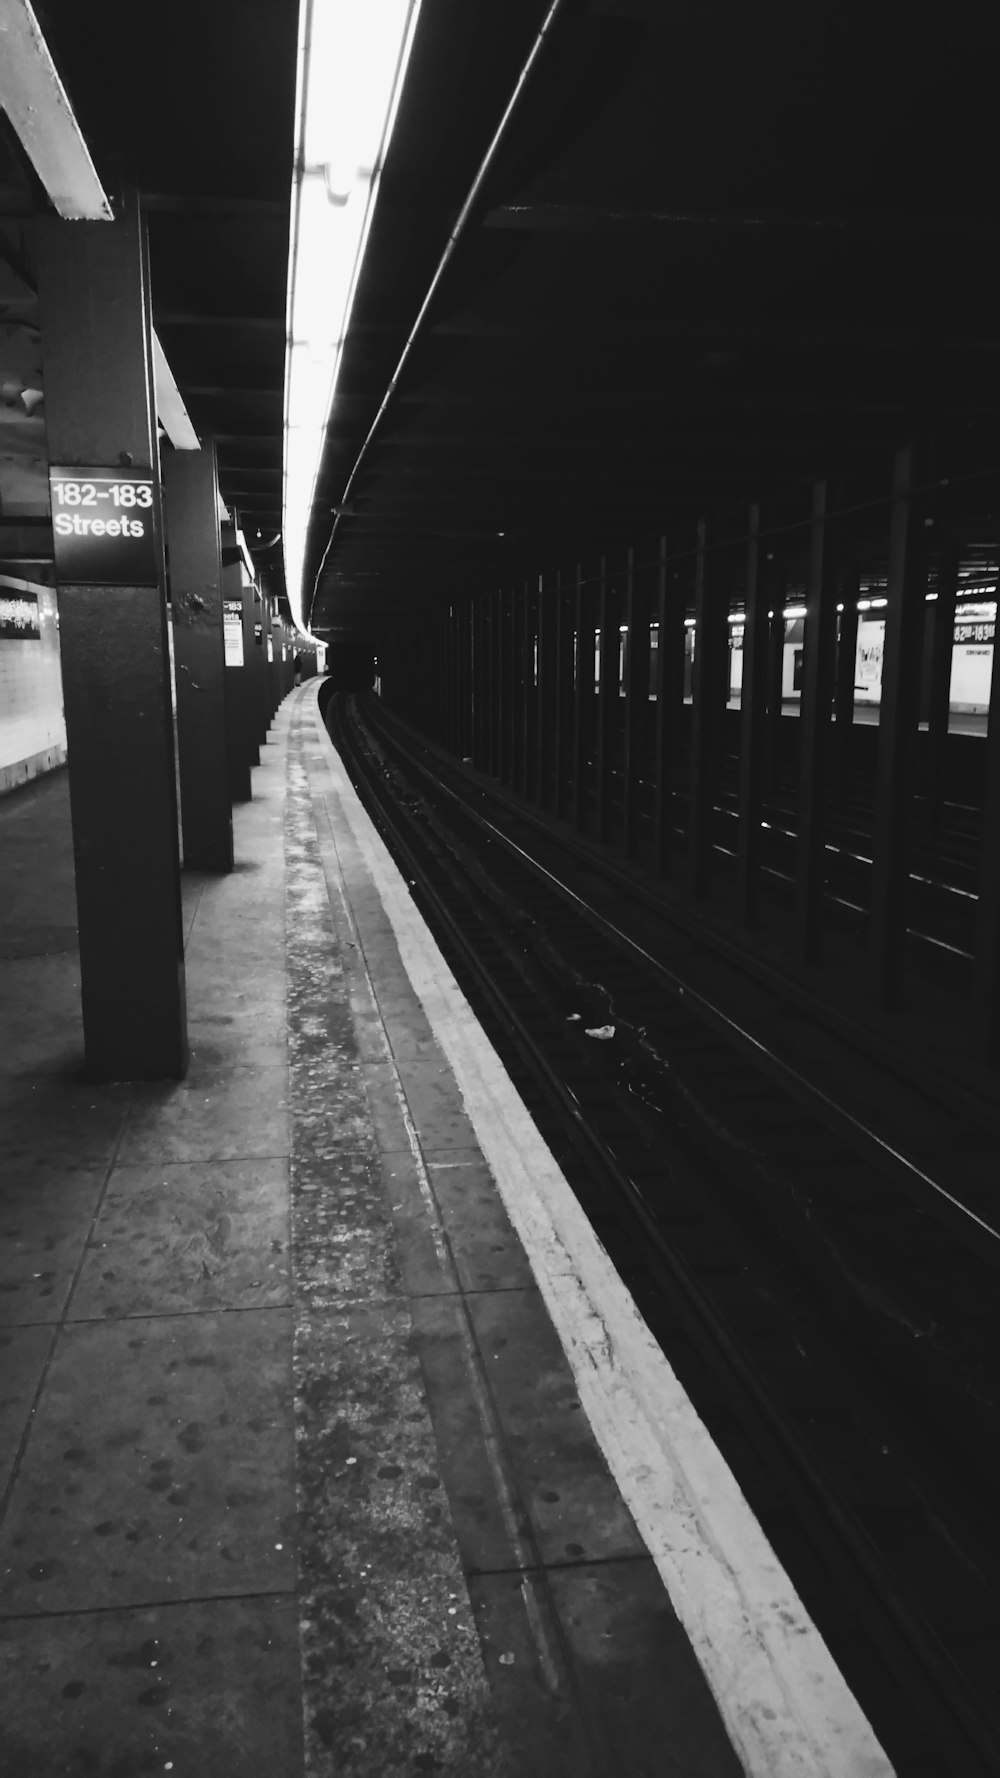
(191, 513)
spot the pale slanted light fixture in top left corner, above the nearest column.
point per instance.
(40, 111)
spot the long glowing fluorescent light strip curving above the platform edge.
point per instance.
(353, 60)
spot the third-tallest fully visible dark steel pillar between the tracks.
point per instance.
(754, 730)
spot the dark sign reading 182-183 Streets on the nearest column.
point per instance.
(102, 527)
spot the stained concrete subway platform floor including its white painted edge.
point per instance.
(328, 1441)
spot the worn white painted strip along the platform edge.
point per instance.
(782, 1697)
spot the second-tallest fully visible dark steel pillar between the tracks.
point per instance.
(814, 725)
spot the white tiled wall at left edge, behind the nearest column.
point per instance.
(33, 730)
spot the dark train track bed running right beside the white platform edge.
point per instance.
(830, 1302)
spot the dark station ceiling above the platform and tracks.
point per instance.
(714, 253)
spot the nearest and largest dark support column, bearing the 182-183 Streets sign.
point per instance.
(117, 680)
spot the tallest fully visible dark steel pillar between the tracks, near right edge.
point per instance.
(898, 730)
